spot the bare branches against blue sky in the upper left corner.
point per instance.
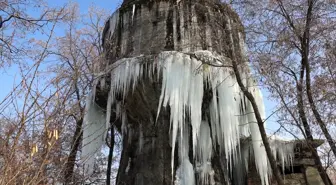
(18, 26)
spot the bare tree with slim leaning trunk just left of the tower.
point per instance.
(79, 51)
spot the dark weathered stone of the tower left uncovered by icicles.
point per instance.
(146, 28)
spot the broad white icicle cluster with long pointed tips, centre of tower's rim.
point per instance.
(182, 90)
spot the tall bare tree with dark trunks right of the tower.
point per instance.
(287, 42)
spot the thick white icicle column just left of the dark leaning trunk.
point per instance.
(224, 110)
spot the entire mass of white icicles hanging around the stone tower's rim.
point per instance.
(184, 78)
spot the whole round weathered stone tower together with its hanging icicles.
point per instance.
(167, 86)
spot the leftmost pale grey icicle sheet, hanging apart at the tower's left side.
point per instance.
(93, 133)
